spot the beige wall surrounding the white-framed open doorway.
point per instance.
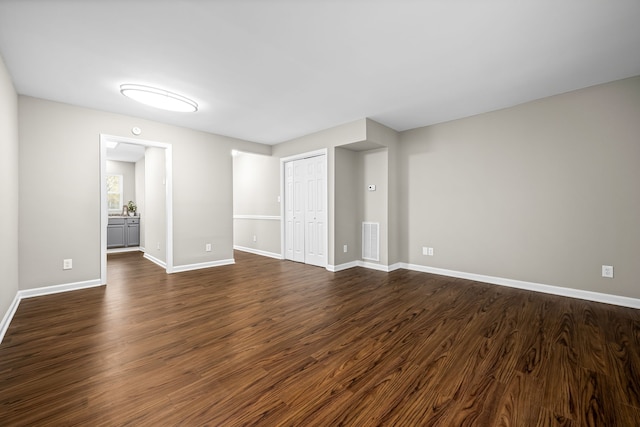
(59, 167)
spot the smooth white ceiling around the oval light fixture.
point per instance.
(271, 70)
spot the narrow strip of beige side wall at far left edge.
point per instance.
(8, 191)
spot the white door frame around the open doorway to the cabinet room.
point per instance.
(104, 220)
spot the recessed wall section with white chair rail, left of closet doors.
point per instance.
(256, 187)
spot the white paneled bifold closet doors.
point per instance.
(306, 210)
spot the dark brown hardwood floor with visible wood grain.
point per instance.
(268, 342)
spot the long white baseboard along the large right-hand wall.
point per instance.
(531, 286)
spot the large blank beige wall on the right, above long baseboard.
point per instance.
(544, 192)
